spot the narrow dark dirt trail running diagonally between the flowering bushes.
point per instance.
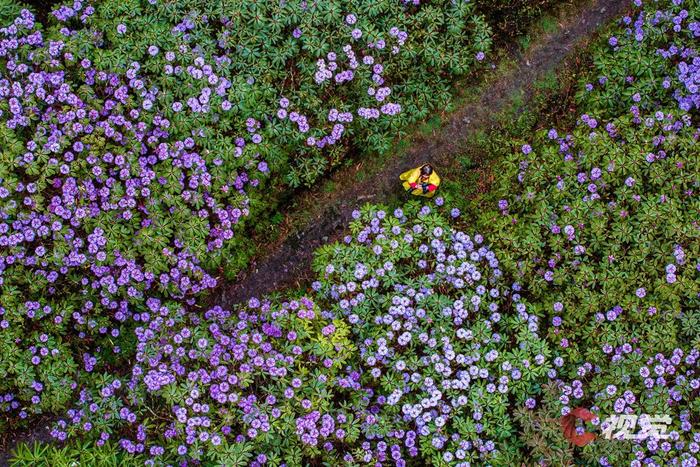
(288, 263)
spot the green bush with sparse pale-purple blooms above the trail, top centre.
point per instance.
(380, 65)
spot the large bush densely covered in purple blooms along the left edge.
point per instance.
(100, 206)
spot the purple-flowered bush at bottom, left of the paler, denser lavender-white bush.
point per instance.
(225, 380)
